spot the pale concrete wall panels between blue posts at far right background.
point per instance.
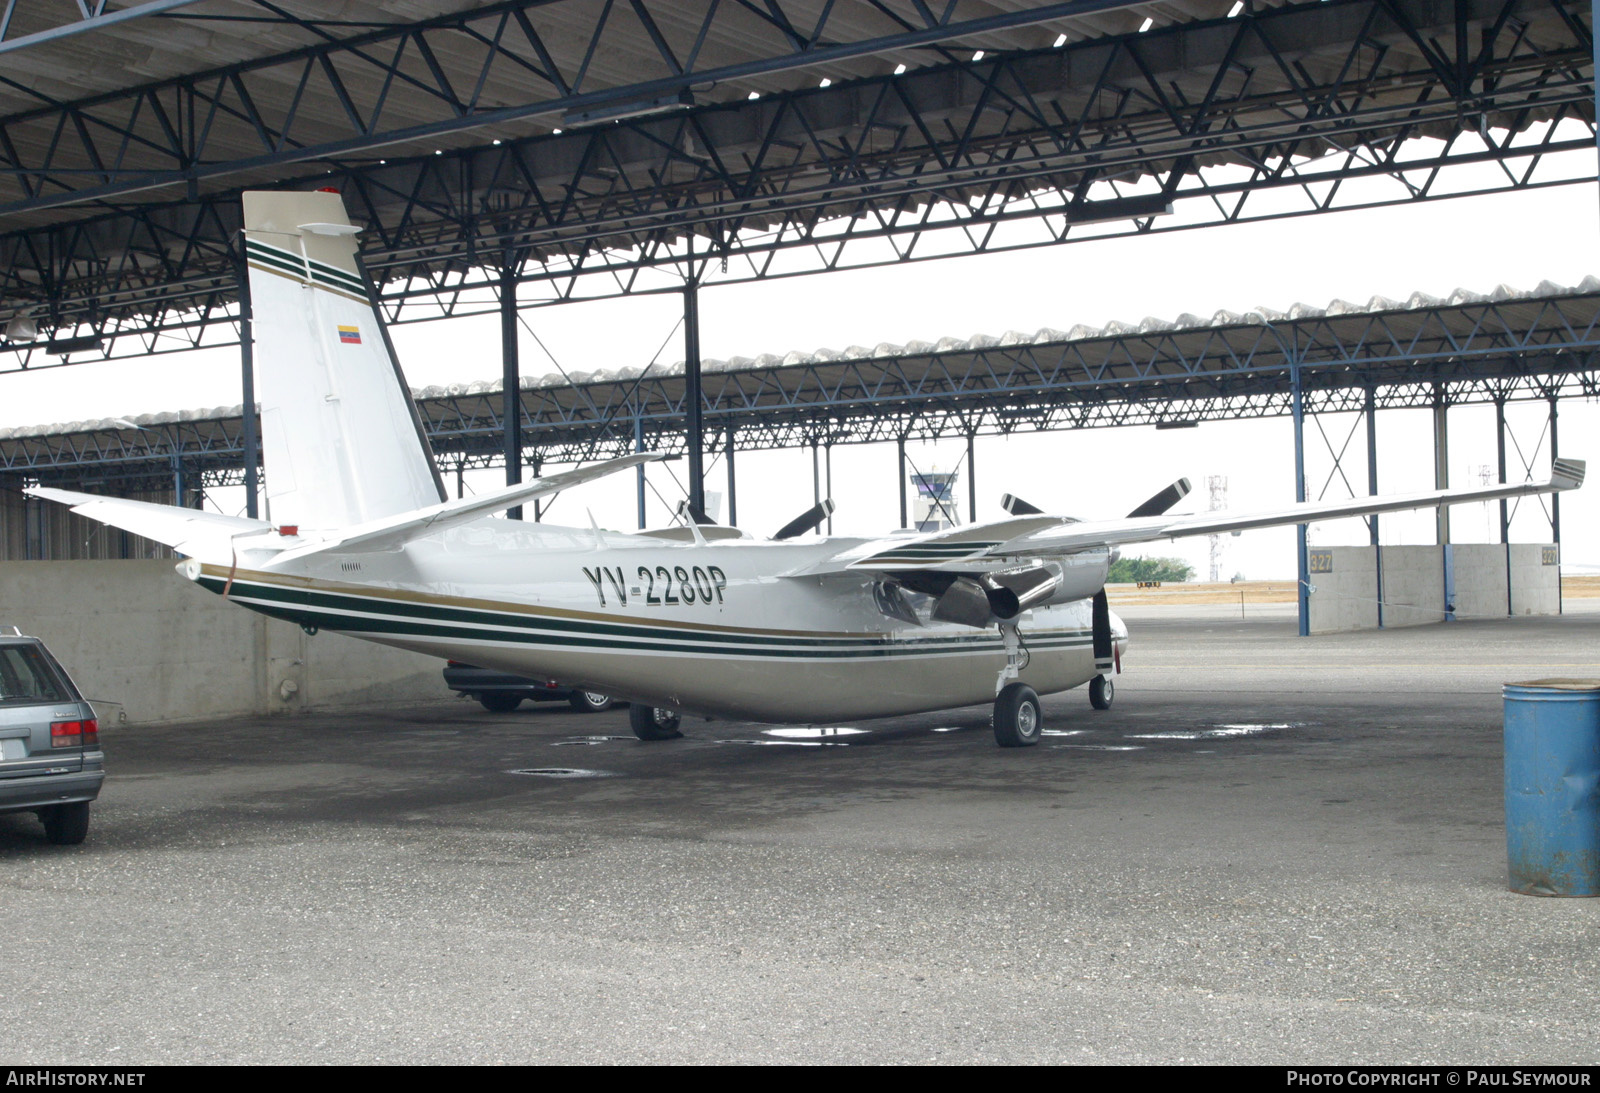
(1414, 585)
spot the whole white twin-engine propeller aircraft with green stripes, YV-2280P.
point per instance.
(687, 620)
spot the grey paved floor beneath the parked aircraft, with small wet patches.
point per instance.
(1270, 851)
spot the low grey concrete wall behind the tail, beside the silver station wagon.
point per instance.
(135, 633)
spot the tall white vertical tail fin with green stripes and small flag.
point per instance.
(342, 438)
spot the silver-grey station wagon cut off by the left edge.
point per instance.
(50, 756)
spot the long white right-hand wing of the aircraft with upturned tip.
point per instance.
(978, 548)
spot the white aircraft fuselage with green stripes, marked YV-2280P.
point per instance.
(705, 628)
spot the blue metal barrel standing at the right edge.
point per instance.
(1553, 787)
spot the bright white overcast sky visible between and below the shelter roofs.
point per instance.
(1516, 239)
